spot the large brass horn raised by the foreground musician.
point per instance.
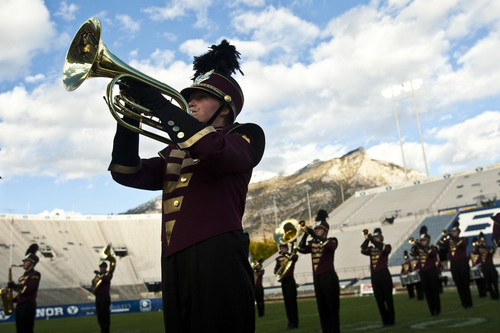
(88, 57)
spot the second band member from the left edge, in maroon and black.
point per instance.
(102, 282)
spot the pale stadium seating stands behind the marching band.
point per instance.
(71, 244)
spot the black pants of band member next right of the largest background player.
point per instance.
(382, 290)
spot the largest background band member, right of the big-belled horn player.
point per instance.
(326, 281)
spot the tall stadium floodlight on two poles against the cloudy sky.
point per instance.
(396, 90)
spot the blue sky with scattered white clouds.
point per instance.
(317, 78)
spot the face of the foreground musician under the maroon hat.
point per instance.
(203, 106)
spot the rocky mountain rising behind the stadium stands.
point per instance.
(318, 185)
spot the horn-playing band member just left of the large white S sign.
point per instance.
(459, 263)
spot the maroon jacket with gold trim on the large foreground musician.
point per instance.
(204, 185)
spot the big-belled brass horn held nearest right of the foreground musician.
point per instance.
(287, 232)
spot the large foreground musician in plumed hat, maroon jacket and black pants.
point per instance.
(204, 177)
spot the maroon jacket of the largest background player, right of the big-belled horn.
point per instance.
(322, 254)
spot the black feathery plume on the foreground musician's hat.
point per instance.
(223, 58)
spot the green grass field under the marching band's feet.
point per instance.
(356, 314)
